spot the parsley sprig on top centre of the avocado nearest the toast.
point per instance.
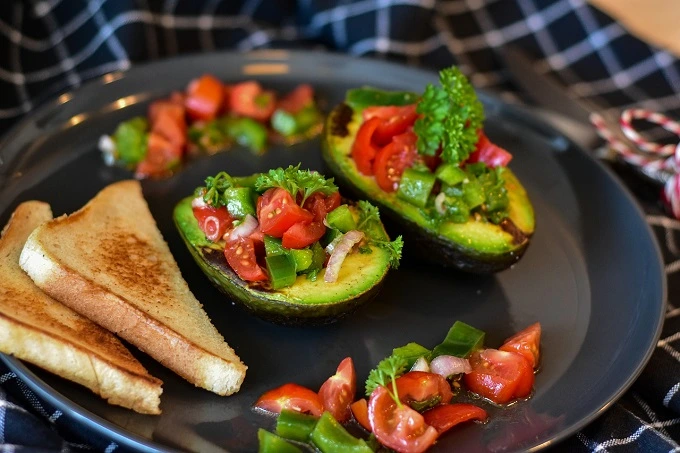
(296, 181)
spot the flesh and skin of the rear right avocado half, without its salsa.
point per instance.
(474, 246)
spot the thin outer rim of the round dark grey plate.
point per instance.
(135, 441)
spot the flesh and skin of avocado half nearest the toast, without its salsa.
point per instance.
(305, 302)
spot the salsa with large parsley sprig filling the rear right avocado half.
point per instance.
(431, 150)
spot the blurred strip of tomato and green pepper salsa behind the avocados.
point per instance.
(208, 117)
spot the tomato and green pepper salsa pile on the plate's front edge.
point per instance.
(407, 410)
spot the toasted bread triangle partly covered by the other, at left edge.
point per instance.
(38, 329)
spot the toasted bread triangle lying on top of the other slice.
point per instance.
(109, 262)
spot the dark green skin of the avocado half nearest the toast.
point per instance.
(255, 299)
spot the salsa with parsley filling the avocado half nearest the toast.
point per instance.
(275, 226)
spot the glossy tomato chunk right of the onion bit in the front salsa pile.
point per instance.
(500, 376)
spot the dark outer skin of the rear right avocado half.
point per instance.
(419, 241)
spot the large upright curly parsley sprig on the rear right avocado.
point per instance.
(451, 116)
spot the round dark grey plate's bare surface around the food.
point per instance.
(592, 275)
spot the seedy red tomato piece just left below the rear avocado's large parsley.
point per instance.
(393, 159)
